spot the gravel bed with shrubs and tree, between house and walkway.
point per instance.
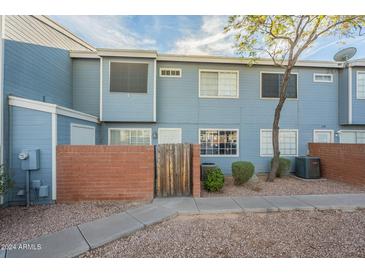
(289, 185)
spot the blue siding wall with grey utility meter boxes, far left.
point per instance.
(30, 129)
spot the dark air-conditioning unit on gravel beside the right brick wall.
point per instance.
(308, 167)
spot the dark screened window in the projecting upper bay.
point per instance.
(128, 77)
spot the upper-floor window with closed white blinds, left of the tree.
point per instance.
(218, 84)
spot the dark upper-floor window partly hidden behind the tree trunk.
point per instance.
(270, 85)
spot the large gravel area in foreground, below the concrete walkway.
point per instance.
(283, 234)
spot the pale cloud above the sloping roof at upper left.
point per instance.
(106, 31)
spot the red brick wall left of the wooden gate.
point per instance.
(105, 172)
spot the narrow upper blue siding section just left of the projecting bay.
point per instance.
(86, 85)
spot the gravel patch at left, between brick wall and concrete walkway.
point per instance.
(19, 223)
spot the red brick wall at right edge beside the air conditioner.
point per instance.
(341, 162)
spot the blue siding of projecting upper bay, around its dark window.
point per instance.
(121, 106)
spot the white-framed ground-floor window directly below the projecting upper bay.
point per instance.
(129, 136)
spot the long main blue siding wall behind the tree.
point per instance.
(178, 105)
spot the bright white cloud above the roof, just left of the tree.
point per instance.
(208, 39)
